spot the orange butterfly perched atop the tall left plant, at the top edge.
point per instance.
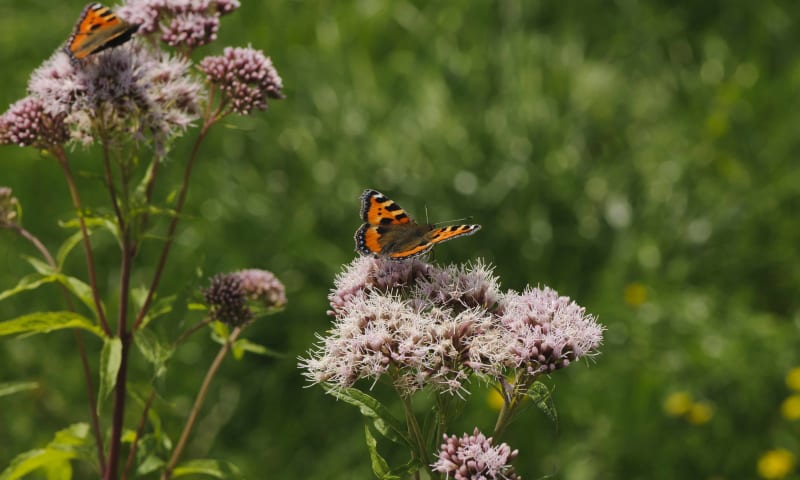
(98, 28)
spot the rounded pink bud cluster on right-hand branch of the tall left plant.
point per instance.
(246, 78)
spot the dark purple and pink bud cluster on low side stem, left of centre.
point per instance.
(230, 295)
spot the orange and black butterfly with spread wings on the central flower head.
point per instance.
(389, 232)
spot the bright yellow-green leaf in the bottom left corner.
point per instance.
(71, 443)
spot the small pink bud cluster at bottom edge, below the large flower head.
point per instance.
(473, 457)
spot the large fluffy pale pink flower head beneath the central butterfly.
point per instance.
(425, 325)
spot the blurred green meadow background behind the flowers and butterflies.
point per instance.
(639, 157)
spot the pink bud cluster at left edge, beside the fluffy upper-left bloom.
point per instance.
(26, 123)
